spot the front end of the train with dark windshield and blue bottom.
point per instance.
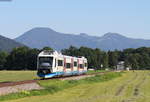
(45, 64)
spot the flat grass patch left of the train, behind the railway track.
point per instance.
(8, 76)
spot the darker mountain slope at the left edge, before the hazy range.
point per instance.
(7, 44)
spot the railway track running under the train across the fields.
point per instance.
(6, 84)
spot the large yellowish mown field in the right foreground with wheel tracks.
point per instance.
(130, 87)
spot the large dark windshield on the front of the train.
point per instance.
(45, 62)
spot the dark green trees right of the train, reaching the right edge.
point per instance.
(136, 59)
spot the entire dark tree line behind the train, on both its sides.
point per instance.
(24, 58)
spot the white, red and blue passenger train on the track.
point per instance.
(52, 64)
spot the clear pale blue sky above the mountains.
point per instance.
(130, 18)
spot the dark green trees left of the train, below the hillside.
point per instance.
(21, 58)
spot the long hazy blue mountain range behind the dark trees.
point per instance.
(40, 37)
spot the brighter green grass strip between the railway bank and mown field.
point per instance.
(53, 86)
